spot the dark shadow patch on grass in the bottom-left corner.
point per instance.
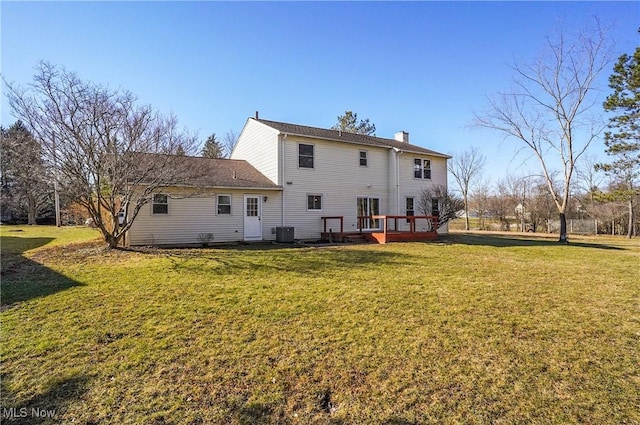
(42, 408)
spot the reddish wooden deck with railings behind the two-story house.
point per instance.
(388, 233)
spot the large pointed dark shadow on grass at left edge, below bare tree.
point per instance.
(24, 279)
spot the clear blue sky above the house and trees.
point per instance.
(420, 67)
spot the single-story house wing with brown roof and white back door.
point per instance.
(229, 201)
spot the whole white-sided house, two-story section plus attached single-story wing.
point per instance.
(300, 176)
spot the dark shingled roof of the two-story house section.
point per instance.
(343, 136)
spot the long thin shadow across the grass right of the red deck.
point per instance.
(505, 241)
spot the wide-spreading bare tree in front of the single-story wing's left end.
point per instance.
(110, 155)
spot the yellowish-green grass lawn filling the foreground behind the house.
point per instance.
(474, 329)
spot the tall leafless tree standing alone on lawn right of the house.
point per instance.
(548, 110)
